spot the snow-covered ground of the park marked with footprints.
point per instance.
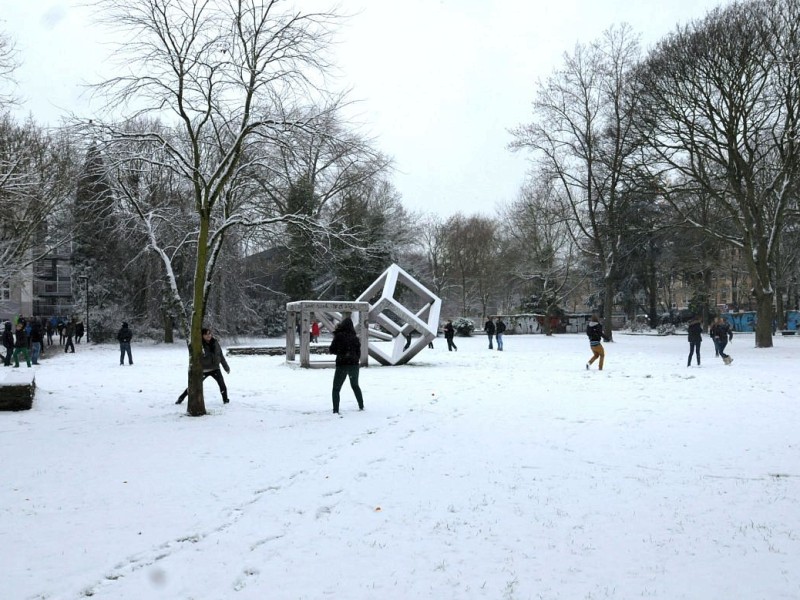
(471, 474)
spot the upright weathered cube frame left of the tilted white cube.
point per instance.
(329, 314)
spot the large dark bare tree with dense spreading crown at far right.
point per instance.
(722, 112)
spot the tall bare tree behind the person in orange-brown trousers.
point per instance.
(583, 139)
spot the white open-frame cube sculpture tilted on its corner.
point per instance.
(398, 320)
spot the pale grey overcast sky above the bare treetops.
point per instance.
(439, 82)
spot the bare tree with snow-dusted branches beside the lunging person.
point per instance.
(223, 73)
